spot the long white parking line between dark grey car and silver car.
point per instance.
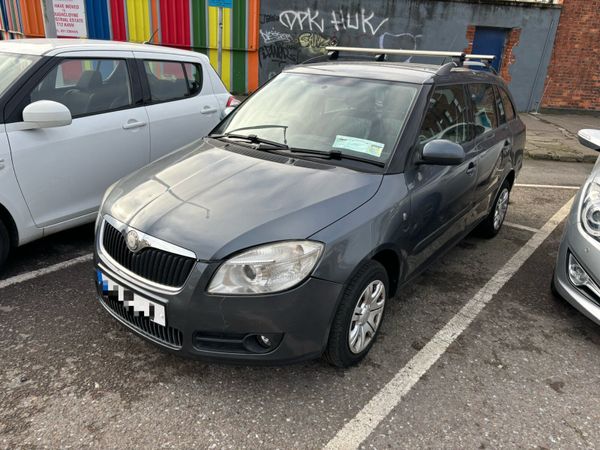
(376, 410)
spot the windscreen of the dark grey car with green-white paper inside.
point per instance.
(324, 113)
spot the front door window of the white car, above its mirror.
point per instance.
(87, 86)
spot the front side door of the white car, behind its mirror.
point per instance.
(64, 171)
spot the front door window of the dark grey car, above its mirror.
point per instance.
(447, 116)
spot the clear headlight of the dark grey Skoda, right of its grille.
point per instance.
(266, 269)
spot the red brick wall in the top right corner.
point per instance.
(573, 80)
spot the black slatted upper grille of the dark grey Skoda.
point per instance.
(158, 266)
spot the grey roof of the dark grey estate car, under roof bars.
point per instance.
(394, 71)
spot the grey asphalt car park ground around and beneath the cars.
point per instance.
(475, 353)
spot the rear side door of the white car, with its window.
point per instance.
(180, 101)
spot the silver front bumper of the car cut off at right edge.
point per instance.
(586, 251)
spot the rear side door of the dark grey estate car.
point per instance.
(493, 144)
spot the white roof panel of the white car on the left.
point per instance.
(51, 47)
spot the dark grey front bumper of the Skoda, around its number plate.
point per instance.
(200, 325)
